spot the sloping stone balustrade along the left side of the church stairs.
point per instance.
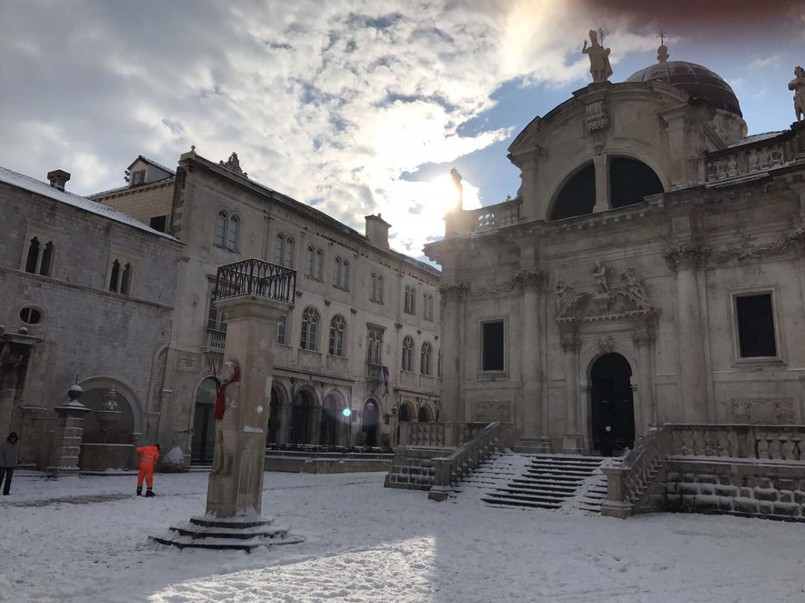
(449, 470)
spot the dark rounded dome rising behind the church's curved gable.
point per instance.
(695, 80)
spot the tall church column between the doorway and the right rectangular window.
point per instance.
(685, 258)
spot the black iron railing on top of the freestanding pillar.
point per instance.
(256, 277)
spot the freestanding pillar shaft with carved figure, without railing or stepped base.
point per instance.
(236, 483)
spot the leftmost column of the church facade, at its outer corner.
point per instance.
(452, 399)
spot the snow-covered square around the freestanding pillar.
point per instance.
(87, 539)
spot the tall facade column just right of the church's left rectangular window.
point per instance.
(533, 430)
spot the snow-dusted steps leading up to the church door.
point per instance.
(543, 481)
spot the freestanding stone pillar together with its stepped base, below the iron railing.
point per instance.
(234, 494)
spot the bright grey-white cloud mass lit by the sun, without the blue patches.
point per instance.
(327, 102)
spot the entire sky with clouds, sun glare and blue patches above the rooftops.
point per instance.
(353, 107)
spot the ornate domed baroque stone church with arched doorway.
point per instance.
(649, 270)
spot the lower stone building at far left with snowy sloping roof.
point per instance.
(87, 296)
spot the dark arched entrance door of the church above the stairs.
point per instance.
(612, 404)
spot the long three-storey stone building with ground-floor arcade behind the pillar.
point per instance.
(364, 334)
